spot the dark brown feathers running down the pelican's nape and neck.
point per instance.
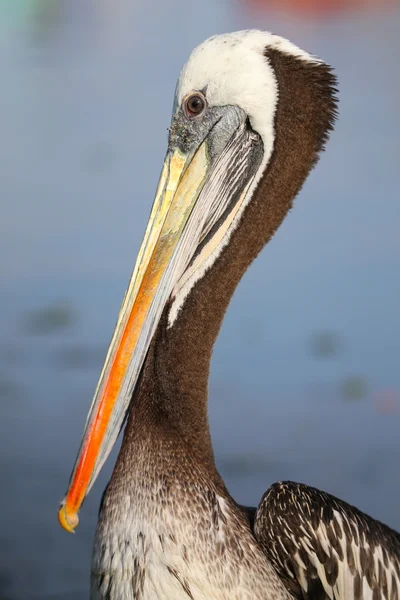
(173, 386)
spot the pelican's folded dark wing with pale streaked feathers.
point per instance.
(324, 548)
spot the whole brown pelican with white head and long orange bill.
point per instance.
(252, 113)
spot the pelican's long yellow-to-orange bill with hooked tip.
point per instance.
(181, 181)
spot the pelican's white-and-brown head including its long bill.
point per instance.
(251, 113)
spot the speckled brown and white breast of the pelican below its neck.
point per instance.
(171, 531)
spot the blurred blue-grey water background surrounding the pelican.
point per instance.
(305, 380)
